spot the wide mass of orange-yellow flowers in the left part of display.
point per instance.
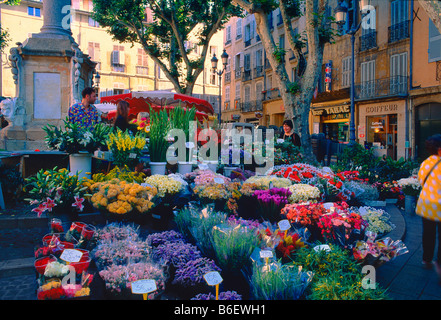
(120, 197)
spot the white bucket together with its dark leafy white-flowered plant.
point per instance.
(78, 142)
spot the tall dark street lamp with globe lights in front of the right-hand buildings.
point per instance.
(340, 17)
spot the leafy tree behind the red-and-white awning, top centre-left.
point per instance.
(175, 21)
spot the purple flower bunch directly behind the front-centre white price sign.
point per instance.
(192, 273)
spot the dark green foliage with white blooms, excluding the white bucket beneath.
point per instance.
(75, 139)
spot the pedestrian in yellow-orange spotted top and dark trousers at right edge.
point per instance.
(429, 203)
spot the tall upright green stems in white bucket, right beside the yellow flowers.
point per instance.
(158, 144)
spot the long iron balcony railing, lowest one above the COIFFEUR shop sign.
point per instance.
(380, 88)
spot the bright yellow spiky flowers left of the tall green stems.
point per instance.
(126, 148)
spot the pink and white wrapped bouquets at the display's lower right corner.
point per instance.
(377, 252)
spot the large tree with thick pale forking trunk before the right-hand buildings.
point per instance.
(296, 95)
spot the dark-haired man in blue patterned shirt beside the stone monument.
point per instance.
(84, 113)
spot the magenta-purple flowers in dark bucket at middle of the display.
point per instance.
(270, 202)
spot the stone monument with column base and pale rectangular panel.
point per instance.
(49, 71)
